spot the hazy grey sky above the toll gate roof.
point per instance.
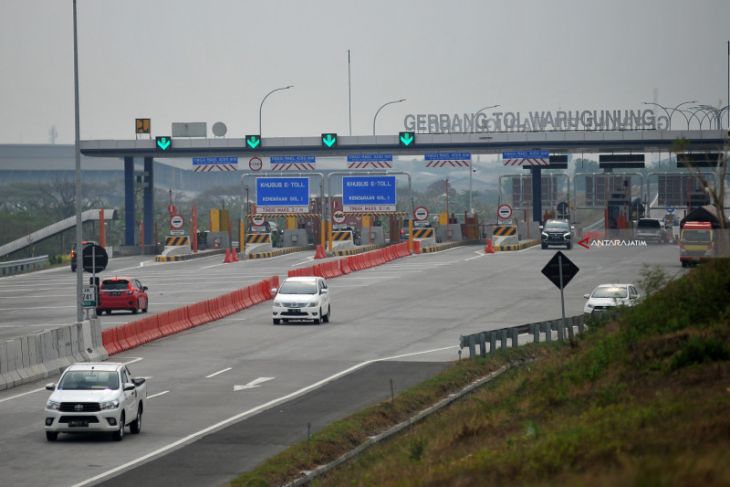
(214, 60)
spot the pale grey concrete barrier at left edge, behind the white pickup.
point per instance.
(33, 357)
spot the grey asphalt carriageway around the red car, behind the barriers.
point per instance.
(41, 300)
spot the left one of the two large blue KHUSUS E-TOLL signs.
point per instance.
(282, 195)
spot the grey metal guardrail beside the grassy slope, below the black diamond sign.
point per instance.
(541, 330)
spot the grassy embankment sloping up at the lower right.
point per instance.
(644, 400)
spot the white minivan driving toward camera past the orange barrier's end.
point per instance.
(302, 298)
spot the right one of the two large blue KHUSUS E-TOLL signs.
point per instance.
(368, 193)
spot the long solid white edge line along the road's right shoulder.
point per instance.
(245, 414)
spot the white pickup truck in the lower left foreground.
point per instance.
(95, 397)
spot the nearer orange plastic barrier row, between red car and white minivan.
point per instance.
(133, 334)
